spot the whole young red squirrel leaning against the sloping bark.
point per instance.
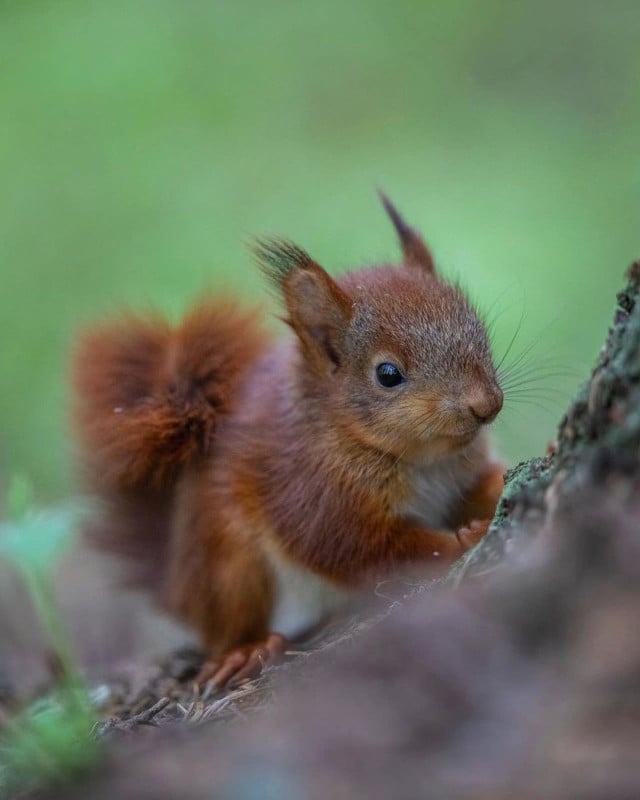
(256, 485)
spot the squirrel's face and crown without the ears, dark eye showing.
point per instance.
(418, 377)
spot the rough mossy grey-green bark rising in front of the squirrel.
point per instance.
(598, 440)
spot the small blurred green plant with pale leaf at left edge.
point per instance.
(49, 739)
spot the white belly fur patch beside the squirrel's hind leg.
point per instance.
(302, 598)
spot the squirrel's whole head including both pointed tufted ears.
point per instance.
(399, 357)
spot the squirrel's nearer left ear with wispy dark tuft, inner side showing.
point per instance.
(319, 311)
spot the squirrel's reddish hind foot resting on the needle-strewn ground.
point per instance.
(242, 663)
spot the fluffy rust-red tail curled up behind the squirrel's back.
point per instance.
(147, 399)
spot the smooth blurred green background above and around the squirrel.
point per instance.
(142, 143)
